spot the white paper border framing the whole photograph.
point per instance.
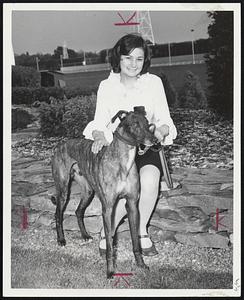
(7, 62)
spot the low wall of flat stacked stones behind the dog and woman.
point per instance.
(198, 212)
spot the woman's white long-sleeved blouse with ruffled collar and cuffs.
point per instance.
(113, 96)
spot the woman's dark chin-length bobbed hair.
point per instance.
(124, 46)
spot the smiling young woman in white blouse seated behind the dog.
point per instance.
(129, 84)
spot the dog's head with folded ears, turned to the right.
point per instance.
(135, 126)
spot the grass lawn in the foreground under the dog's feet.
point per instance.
(38, 262)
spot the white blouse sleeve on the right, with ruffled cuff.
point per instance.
(161, 111)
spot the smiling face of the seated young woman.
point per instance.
(132, 64)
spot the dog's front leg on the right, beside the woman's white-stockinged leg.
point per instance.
(133, 216)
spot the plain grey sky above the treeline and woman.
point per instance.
(39, 31)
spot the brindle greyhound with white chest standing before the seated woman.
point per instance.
(111, 174)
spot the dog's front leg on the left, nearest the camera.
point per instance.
(107, 223)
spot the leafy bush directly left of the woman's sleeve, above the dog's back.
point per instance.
(67, 118)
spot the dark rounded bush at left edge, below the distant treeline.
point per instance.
(25, 77)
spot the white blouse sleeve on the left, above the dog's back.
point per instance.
(102, 116)
